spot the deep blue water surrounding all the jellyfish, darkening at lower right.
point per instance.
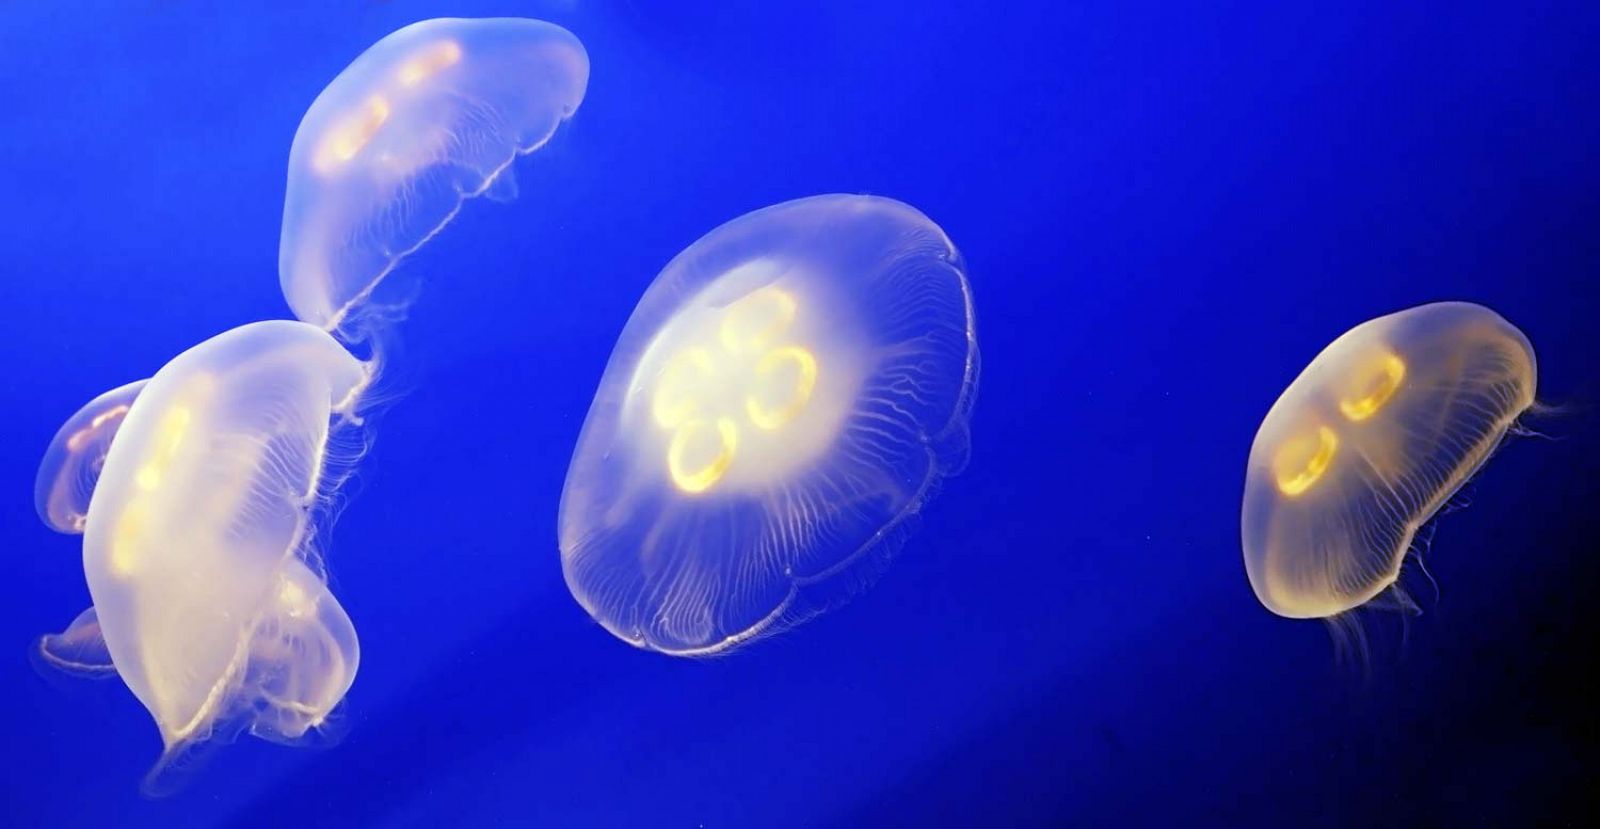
(1167, 210)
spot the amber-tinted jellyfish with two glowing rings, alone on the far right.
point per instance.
(1369, 443)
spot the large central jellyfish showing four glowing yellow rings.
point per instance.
(785, 399)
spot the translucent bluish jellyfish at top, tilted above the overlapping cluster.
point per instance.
(428, 118)
